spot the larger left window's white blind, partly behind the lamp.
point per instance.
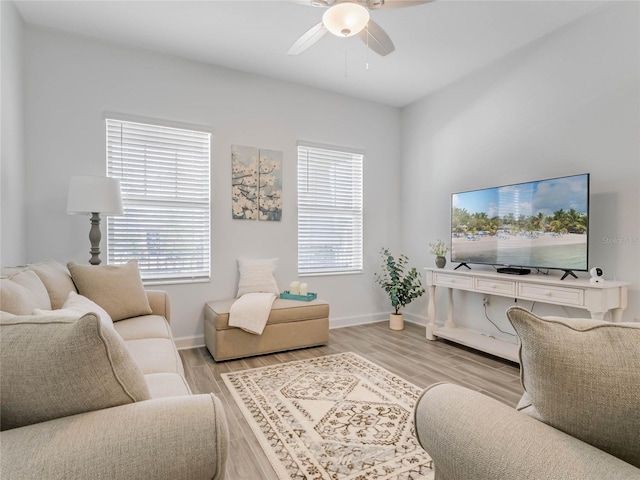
(164, 178)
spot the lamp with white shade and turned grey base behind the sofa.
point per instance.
(94, 196)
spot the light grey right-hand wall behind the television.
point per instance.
(567, 104)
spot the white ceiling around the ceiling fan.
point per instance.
(436, 43)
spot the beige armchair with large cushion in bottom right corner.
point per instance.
(579, 418)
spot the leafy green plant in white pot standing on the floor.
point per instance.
(401, 284)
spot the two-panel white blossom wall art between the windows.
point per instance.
(256, 176)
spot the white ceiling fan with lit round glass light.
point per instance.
(345, 18)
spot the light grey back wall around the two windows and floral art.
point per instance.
(72, 81)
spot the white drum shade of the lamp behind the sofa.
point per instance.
(94, 195)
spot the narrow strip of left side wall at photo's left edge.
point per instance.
(12, 171)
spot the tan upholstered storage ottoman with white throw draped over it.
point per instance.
(292, 324)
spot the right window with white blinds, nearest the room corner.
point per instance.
(329, 211)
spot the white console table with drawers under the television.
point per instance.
(597, 298)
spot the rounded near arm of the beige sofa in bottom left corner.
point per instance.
(175, 437)
